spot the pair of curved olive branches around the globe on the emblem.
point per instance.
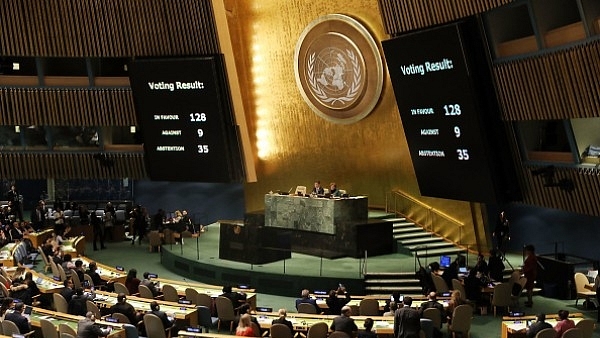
(352, 91)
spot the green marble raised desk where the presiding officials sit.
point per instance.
(314, 214)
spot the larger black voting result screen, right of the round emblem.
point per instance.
(445, 105)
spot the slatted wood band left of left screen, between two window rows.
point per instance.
(64, 107)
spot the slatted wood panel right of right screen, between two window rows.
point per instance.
(559, 85)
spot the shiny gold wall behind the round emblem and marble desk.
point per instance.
(292, 145)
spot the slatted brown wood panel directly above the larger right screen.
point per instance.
(406, 15)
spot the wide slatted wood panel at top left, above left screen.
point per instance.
(78, 28)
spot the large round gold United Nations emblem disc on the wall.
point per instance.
(338, 69)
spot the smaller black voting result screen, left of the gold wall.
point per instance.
(184, 112)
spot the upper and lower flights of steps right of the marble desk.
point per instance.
(414, 240)
